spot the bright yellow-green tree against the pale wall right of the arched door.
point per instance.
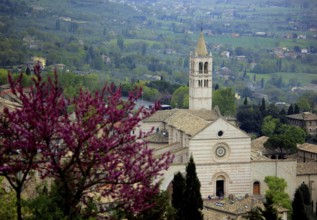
(276, 192)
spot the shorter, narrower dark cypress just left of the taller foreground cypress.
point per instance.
(178, 195)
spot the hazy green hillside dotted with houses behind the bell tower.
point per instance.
(138, 40)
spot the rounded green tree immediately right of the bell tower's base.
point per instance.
(224, 98)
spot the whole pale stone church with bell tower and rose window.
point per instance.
(226, 160)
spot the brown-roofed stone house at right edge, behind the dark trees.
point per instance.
(305, 120)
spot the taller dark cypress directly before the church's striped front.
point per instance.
(193, 202)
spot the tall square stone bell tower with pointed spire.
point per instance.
(200, 77)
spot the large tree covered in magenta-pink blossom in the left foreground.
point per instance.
(89, 150)
